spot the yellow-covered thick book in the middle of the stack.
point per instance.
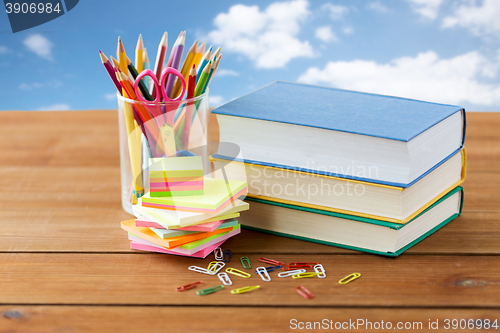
(357, 198)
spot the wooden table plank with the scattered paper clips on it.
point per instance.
(451, 281)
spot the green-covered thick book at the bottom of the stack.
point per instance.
(348, 231)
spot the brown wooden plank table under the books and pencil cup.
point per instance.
(65, 262)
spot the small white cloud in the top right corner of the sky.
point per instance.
(481, 20)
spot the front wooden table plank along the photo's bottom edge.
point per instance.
(215, 319)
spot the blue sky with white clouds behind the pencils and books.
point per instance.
(444, 51)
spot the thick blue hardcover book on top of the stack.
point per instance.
(339, 133)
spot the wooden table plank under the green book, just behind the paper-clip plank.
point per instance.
(95, 230)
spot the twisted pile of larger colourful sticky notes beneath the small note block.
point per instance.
(188, 225)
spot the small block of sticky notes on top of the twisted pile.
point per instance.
(179, 176)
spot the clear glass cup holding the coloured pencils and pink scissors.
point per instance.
(159, 130)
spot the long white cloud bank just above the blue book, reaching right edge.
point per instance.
(455, 80)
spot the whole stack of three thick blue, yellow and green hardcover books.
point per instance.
(361, 171)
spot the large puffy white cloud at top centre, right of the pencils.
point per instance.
(267, 37)
